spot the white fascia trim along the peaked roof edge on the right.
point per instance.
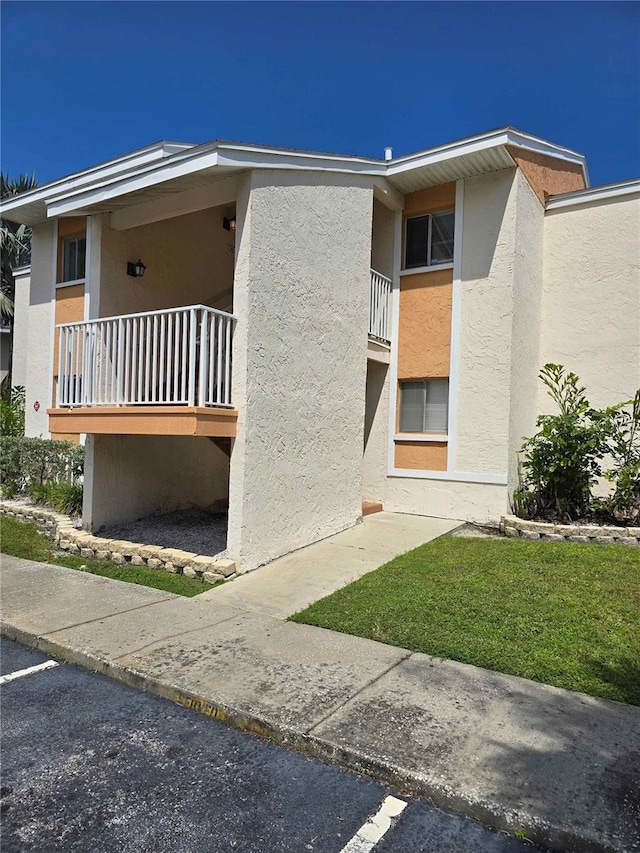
(497, 138)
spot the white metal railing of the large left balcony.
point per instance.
(180, 356)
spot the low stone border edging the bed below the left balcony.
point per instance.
(69, 538)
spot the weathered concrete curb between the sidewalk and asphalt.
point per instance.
(491, 814)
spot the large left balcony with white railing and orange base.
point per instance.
(159, 372)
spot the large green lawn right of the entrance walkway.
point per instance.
(560, 613)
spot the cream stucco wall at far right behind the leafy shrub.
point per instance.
(591, 297)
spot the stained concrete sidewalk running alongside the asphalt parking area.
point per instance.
(563, 767)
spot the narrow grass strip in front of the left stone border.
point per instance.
(22, 539)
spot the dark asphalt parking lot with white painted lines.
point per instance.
(90, 764)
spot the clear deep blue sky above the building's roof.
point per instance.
(86, 81)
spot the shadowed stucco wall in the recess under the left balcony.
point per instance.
(139, 475)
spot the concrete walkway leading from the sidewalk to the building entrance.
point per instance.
(292, 583)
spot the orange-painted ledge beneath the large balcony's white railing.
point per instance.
(145, 420)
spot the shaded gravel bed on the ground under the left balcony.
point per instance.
(189, 530)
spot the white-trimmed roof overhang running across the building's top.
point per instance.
(170, 168)
